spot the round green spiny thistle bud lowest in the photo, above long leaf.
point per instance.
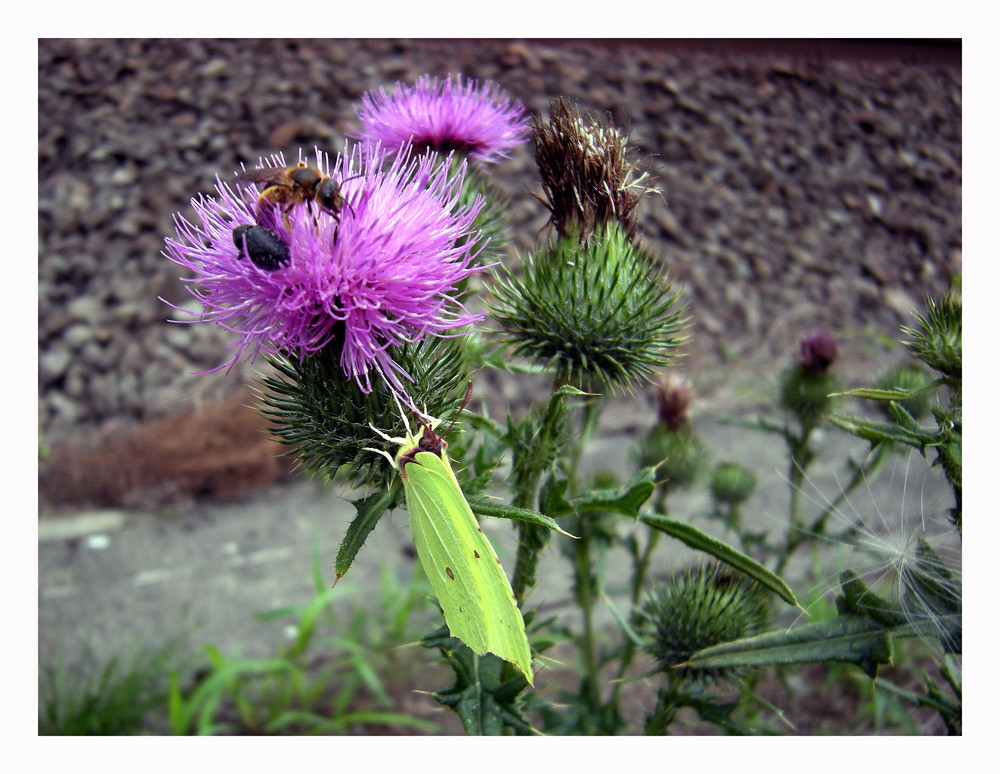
(698, 609)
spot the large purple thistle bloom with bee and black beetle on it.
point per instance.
(384, 271)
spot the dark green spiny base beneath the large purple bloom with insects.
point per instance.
(326, 416)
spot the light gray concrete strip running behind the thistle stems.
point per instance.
(111, 580)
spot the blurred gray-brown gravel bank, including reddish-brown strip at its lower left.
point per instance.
(802, 187)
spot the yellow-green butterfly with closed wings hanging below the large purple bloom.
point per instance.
(464, 571)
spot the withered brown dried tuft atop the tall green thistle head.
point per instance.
(588, 174)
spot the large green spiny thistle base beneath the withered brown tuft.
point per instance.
(600, 311)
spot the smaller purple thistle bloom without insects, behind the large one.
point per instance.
(482, 123)
